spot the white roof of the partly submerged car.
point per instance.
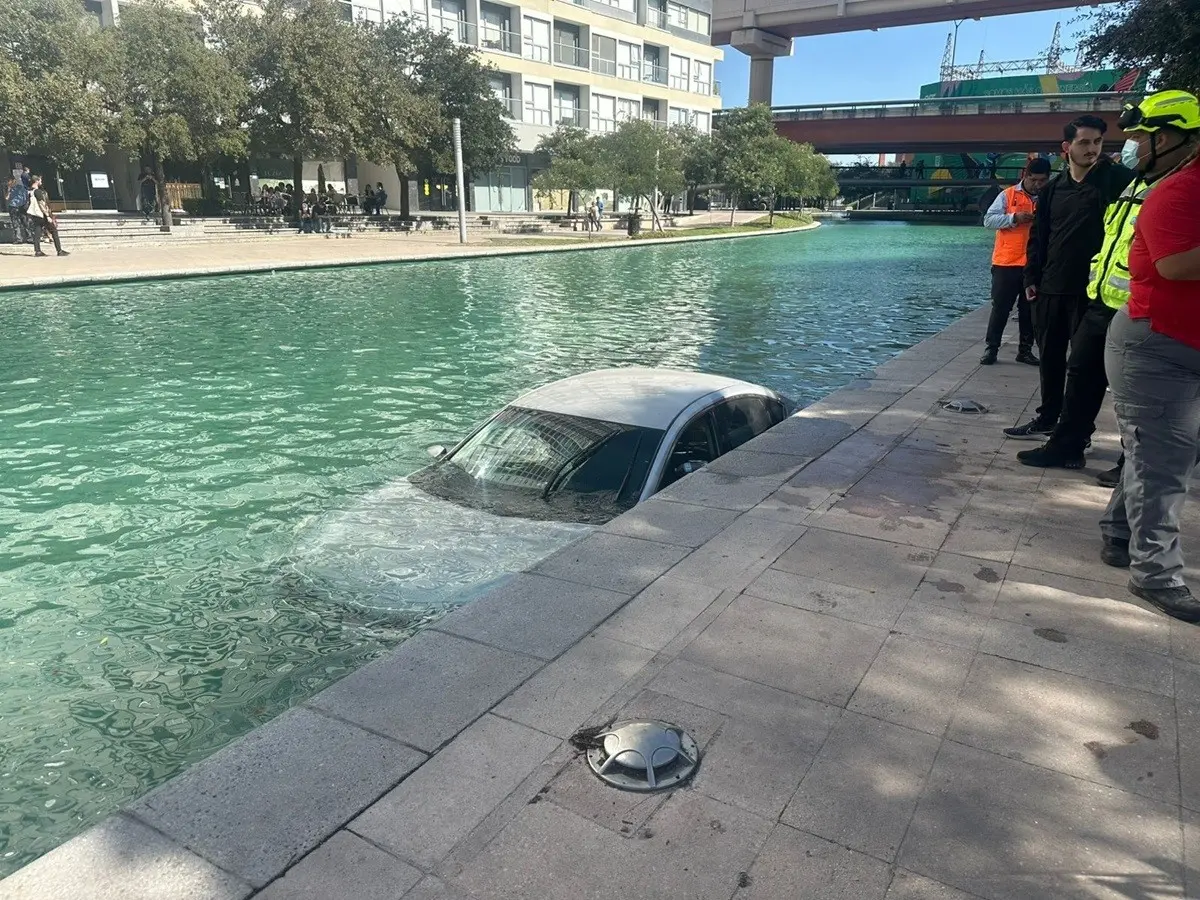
(643, 398)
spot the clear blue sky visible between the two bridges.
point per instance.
(892, 64)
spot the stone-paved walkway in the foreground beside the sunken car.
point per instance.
(909, 673)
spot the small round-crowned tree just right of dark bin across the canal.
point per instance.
(644, 163)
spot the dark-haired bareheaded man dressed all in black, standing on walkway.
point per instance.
(1069, 230)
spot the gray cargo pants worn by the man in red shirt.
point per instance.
(1156, 389)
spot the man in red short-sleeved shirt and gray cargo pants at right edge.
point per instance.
(1153, 358)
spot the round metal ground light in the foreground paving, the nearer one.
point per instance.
(644, 757)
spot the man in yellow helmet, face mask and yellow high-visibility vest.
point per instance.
(1109, 287)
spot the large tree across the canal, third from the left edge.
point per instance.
(302, 64)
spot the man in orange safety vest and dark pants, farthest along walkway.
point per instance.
(1012, 218)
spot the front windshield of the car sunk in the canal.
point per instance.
(539, 465)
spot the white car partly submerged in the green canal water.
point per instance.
(548, 469)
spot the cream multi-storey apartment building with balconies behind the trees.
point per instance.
(589, 63)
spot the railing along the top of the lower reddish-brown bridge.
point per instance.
(1010, 105)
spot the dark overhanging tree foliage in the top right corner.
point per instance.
(1156, 35)
